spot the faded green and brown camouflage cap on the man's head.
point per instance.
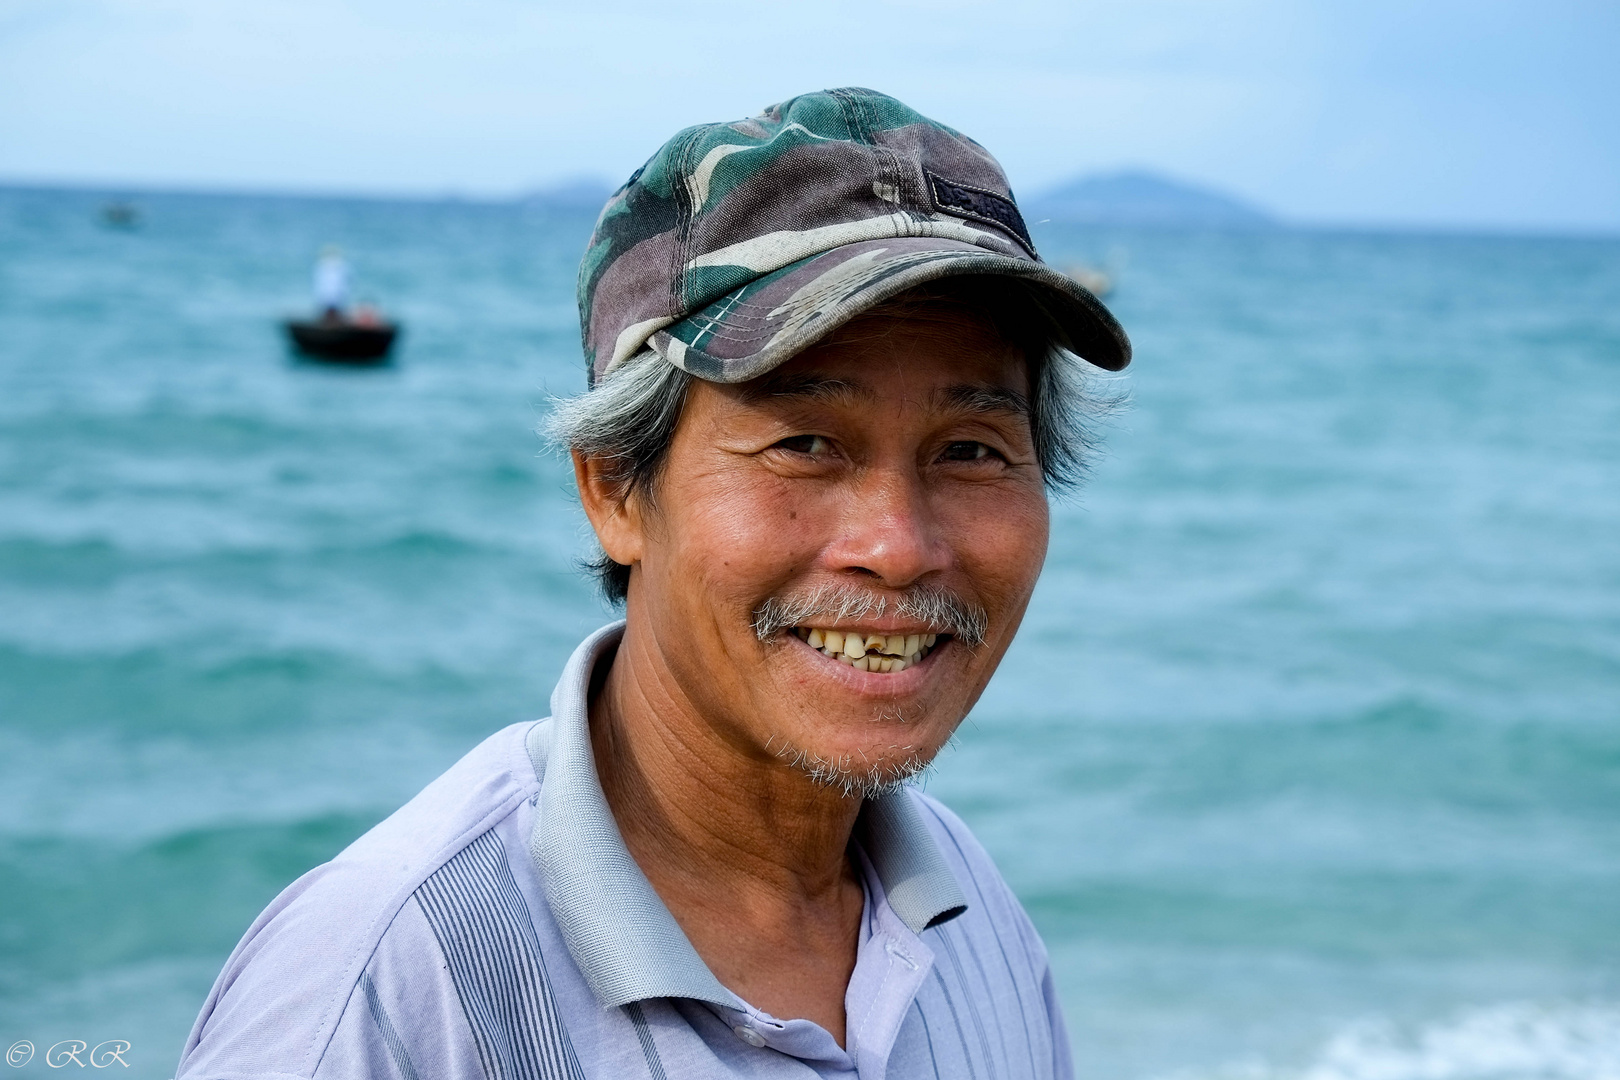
(741, 244)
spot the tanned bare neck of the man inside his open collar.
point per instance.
(751, 856)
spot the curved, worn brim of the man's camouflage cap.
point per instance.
(761, 326)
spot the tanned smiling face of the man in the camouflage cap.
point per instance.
(892, 461)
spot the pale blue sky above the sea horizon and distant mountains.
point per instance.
(1449, 113)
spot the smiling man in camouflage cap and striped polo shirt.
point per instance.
(830, 388)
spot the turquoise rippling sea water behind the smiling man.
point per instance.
(1307, 763)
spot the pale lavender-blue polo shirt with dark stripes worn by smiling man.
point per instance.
(497, 929)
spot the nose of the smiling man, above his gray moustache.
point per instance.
(890, 530)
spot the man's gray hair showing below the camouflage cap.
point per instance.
(629, 419)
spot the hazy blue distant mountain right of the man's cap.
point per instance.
(1140, 198)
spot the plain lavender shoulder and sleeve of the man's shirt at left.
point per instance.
(286, 987)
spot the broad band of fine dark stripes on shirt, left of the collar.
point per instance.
(488, 940)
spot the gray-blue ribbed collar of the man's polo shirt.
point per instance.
(621, 935)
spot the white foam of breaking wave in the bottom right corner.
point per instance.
(1506, 1042)
